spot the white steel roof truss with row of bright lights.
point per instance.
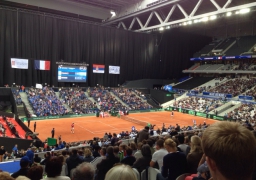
(166, 14)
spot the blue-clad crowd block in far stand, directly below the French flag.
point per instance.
(45, 102)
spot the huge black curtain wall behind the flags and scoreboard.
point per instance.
(33, 36)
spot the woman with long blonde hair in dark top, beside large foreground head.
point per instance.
(195, 154)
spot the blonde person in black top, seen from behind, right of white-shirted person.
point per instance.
(174, 163)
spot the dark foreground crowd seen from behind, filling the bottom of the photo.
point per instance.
(179, 151)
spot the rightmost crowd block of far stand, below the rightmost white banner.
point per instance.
(130, 98)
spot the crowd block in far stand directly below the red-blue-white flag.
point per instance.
(105, 99)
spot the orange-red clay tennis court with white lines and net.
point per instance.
(88, 127)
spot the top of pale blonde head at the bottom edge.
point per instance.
(121, 172)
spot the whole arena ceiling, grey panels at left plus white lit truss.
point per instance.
(147, 15)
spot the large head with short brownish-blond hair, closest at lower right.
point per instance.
(230, 151)
